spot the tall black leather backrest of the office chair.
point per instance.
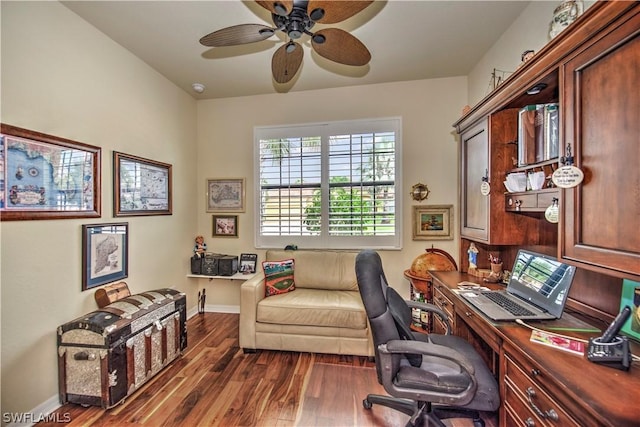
(388, 314)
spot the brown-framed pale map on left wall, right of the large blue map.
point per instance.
(140, 186)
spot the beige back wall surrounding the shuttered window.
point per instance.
(427, 107)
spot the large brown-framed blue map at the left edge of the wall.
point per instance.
(47, 177)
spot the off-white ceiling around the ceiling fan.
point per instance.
(408, 40)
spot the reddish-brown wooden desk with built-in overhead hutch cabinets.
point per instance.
(592, 71)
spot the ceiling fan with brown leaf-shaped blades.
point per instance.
(295, 18)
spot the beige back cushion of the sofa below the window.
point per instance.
(324, 269)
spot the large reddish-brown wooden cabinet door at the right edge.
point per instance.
(601, 216)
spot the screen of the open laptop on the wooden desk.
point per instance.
(541, 280)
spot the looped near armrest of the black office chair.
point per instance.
(386, 352)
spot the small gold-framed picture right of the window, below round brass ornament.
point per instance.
(433, 222)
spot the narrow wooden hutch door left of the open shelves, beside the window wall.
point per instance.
(474, 212)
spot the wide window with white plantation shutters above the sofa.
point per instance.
(329, 185)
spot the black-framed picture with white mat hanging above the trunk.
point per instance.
(105, 249)
